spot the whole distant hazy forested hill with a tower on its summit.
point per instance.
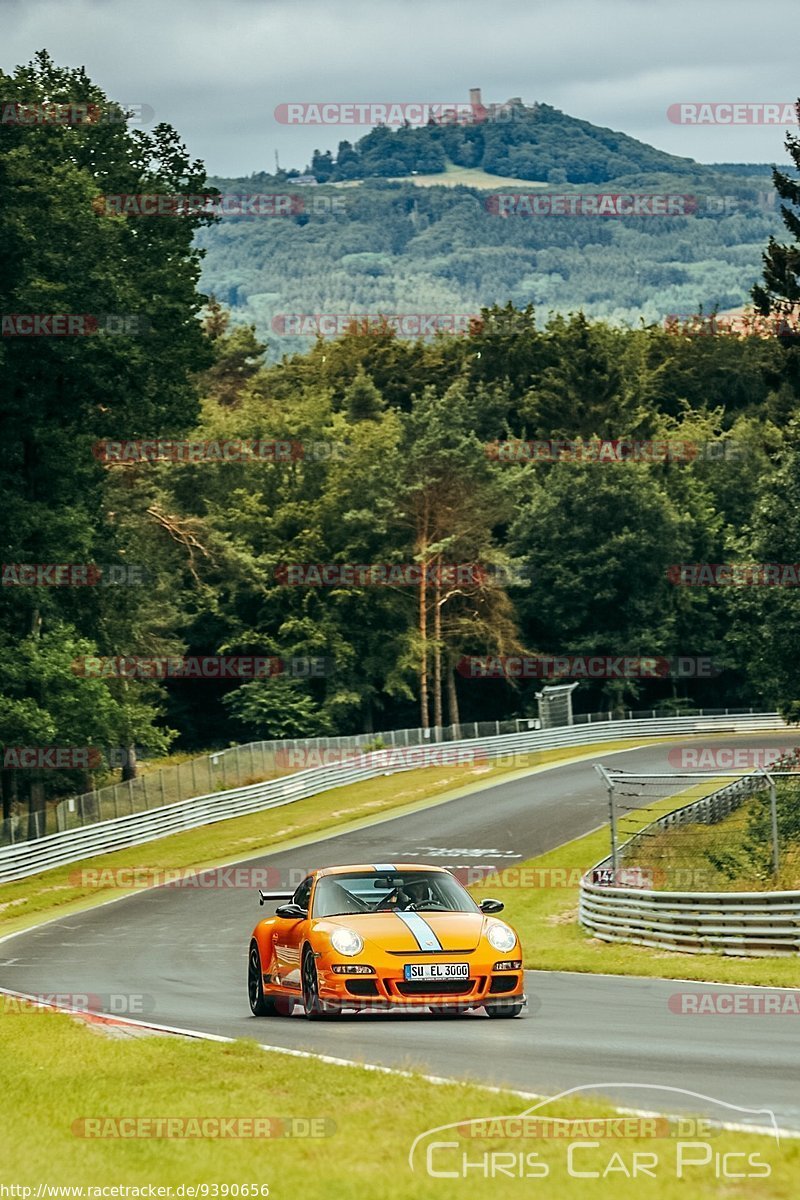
(377, 233)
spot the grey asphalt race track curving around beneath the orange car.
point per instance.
(185, 952)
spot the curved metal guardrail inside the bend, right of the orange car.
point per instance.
(750, 925)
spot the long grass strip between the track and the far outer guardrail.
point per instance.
(58, 892)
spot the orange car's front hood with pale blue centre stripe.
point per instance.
(413, 932)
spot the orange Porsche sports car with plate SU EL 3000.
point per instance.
(384, 937)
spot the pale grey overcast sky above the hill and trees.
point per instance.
(218, 69)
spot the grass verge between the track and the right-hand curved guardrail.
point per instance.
(544, 908)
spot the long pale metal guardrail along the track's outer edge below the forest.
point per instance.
(119, 833)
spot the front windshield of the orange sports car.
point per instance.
(396, 892)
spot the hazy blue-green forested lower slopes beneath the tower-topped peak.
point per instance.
(394, 249)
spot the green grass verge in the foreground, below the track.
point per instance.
(64, 1072)
